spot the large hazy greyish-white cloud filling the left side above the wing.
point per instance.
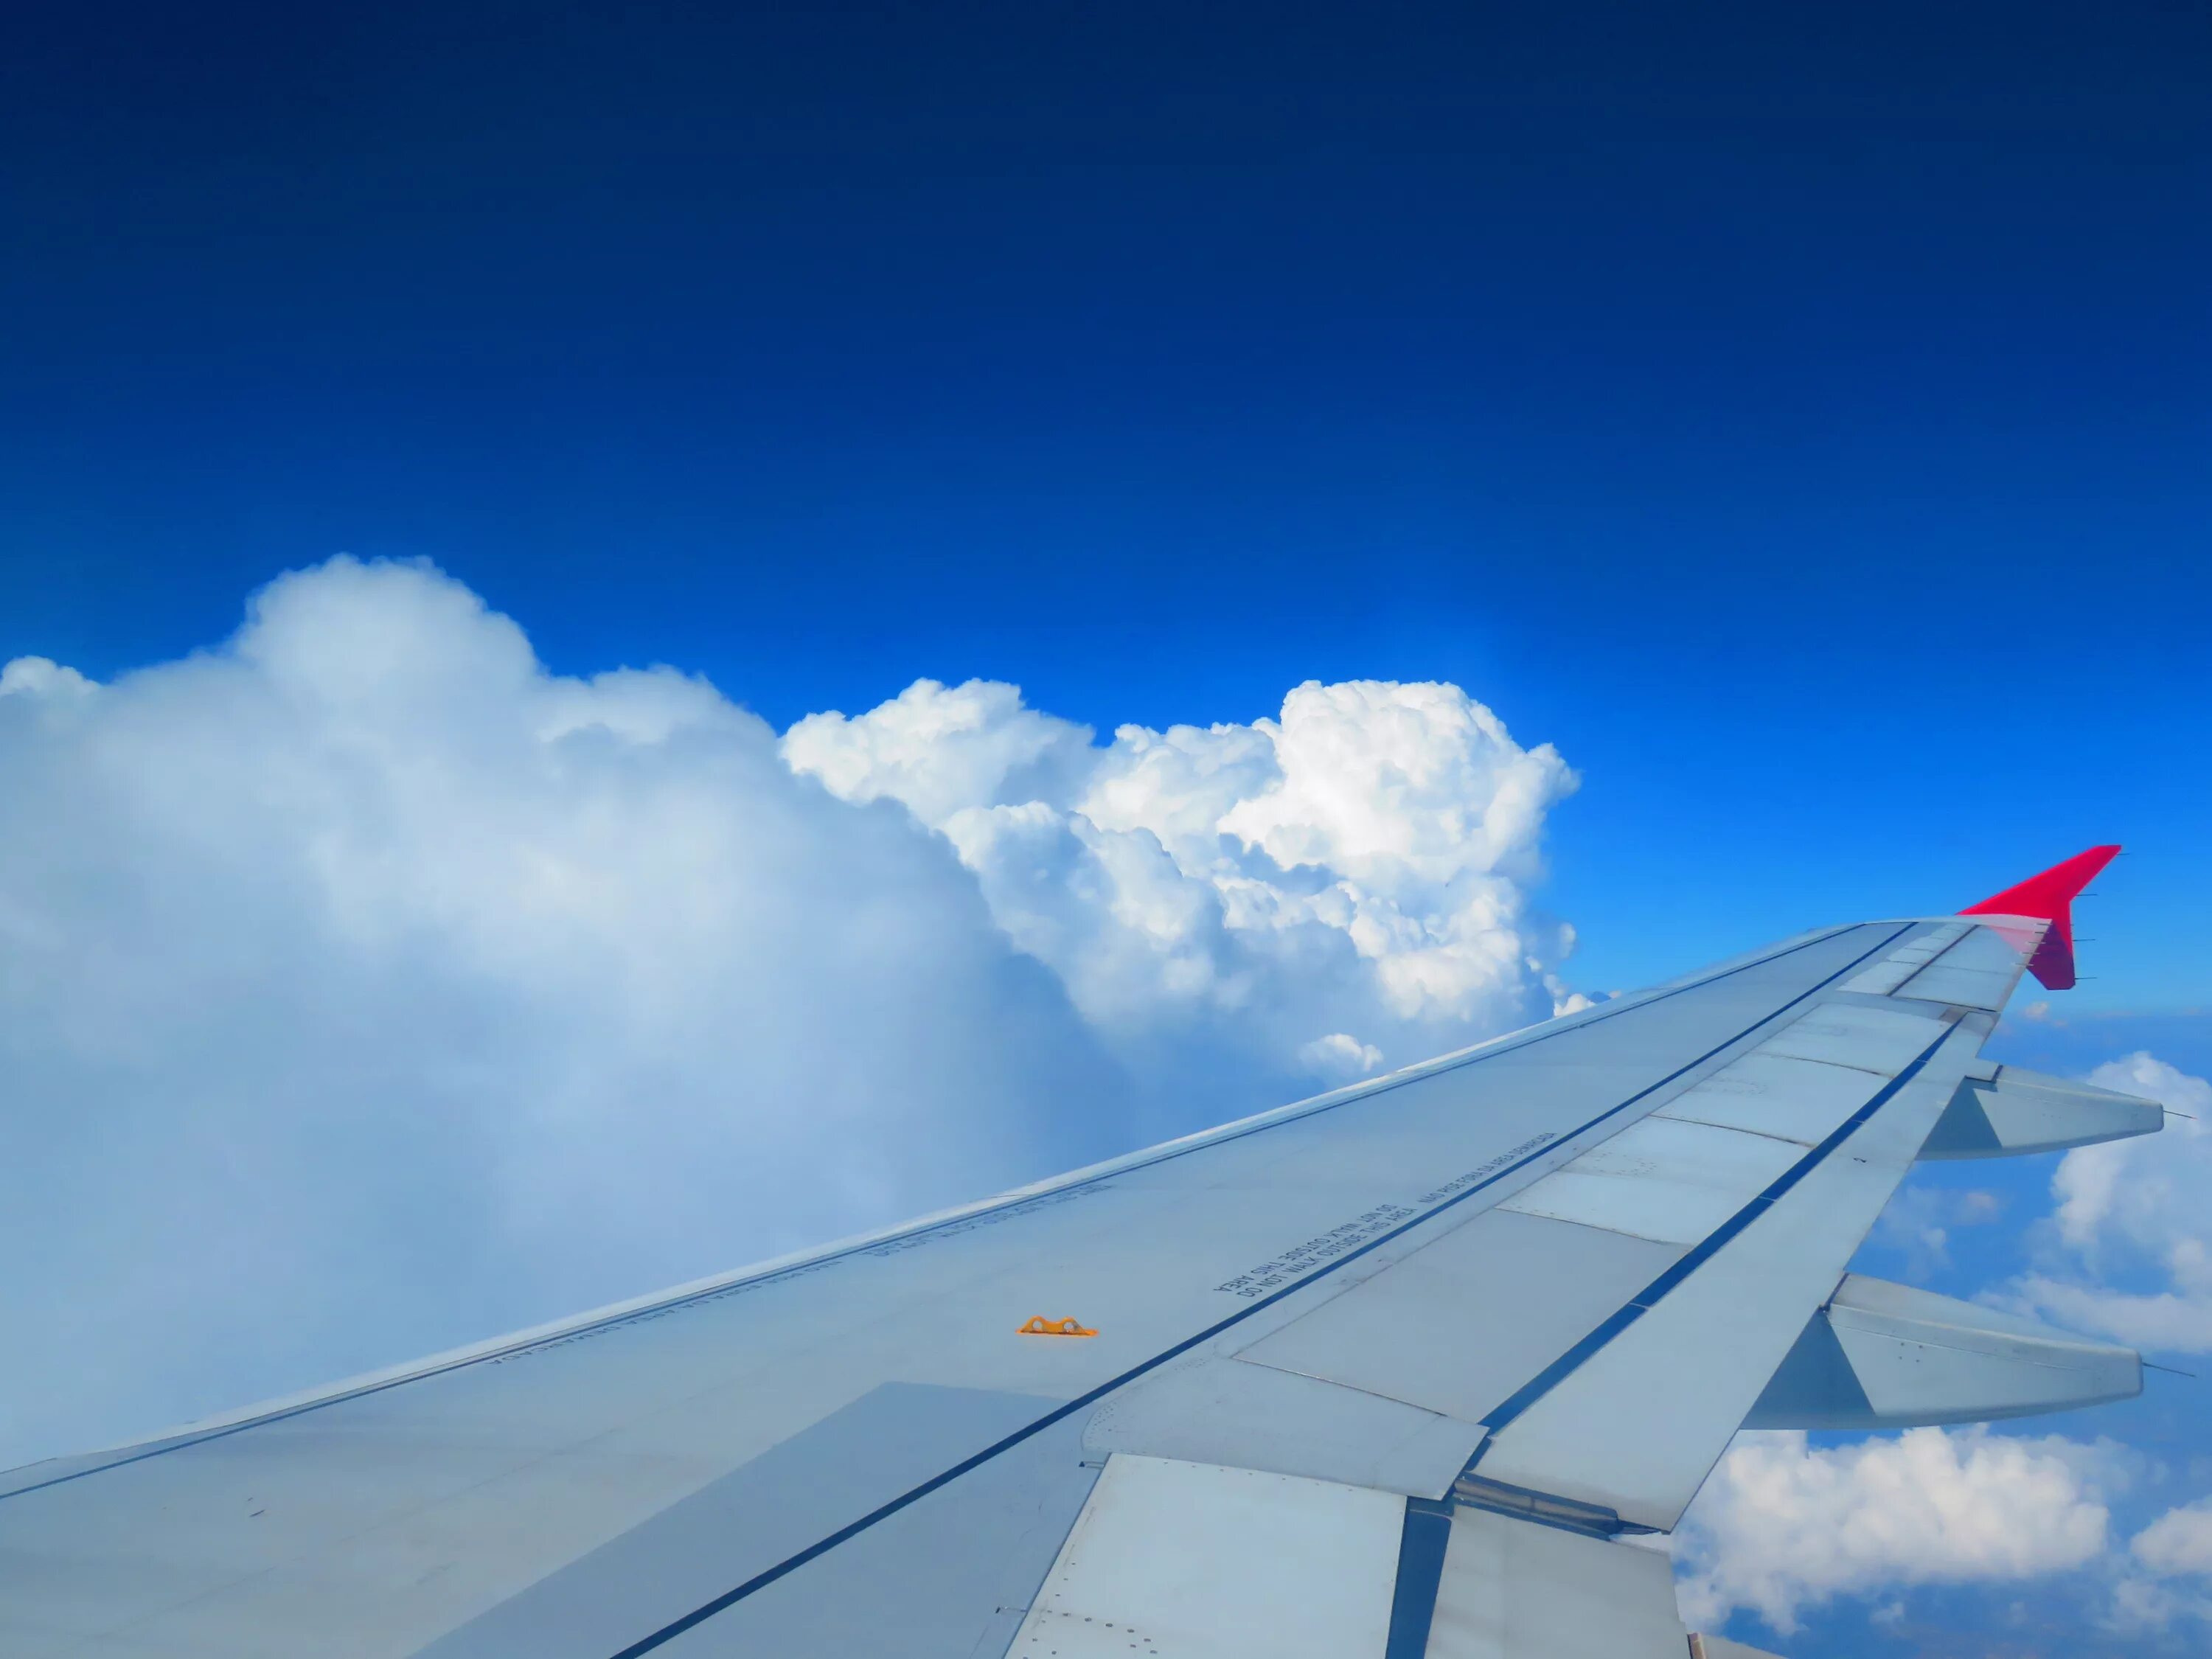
(364, 988)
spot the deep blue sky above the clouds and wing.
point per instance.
(1797, 419)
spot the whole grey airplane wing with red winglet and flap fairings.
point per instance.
(1415, 1370)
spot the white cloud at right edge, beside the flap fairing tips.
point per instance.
(2129, 1211)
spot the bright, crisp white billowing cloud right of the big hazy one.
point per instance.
(1344, 884)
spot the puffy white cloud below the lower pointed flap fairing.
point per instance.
(1784, 1525)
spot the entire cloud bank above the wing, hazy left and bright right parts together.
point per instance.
(368, 988)
